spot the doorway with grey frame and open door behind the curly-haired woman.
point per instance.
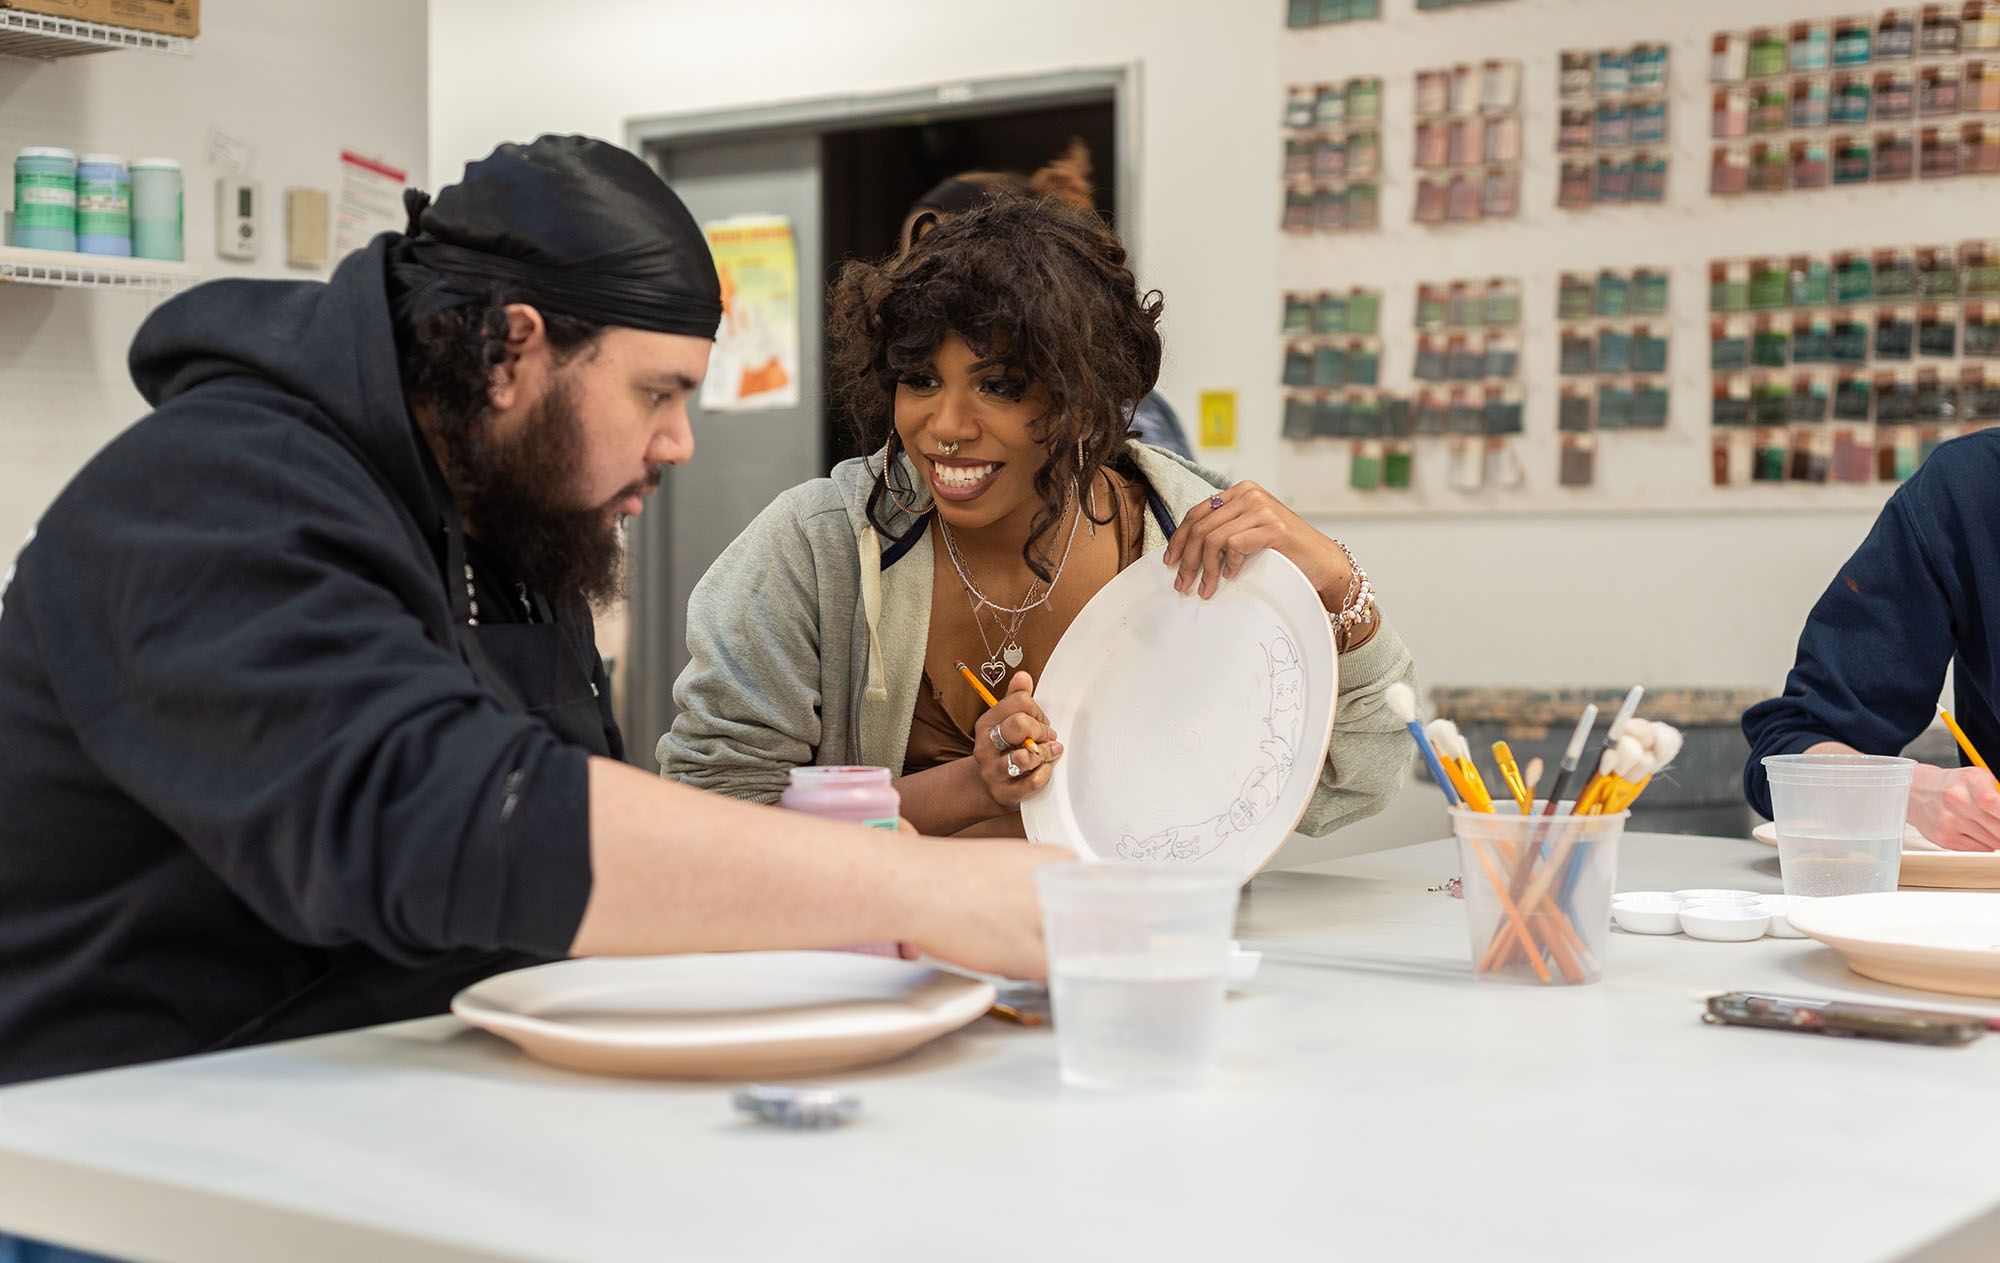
(843, 171)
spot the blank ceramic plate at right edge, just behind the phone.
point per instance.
(1927, 940)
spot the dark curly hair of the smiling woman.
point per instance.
(1031, 283)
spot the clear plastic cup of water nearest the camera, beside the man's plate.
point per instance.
(1137, 966)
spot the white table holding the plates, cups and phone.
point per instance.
(1377, 1104)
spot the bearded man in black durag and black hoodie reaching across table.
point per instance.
(301, 718)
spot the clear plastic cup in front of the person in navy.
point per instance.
(1839, 820)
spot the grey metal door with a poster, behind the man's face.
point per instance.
(743, 461)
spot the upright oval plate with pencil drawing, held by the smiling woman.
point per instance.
(1193, 730)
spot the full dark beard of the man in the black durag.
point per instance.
(513, 497)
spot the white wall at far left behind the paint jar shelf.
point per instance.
(295, 79)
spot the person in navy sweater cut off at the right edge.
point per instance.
(1871, 662)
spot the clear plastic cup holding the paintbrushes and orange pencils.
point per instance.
(1539, 892)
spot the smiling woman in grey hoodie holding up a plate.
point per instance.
(991, 367)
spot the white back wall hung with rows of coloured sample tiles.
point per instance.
(1683, 601)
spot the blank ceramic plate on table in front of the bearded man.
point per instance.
(731, 1016)
